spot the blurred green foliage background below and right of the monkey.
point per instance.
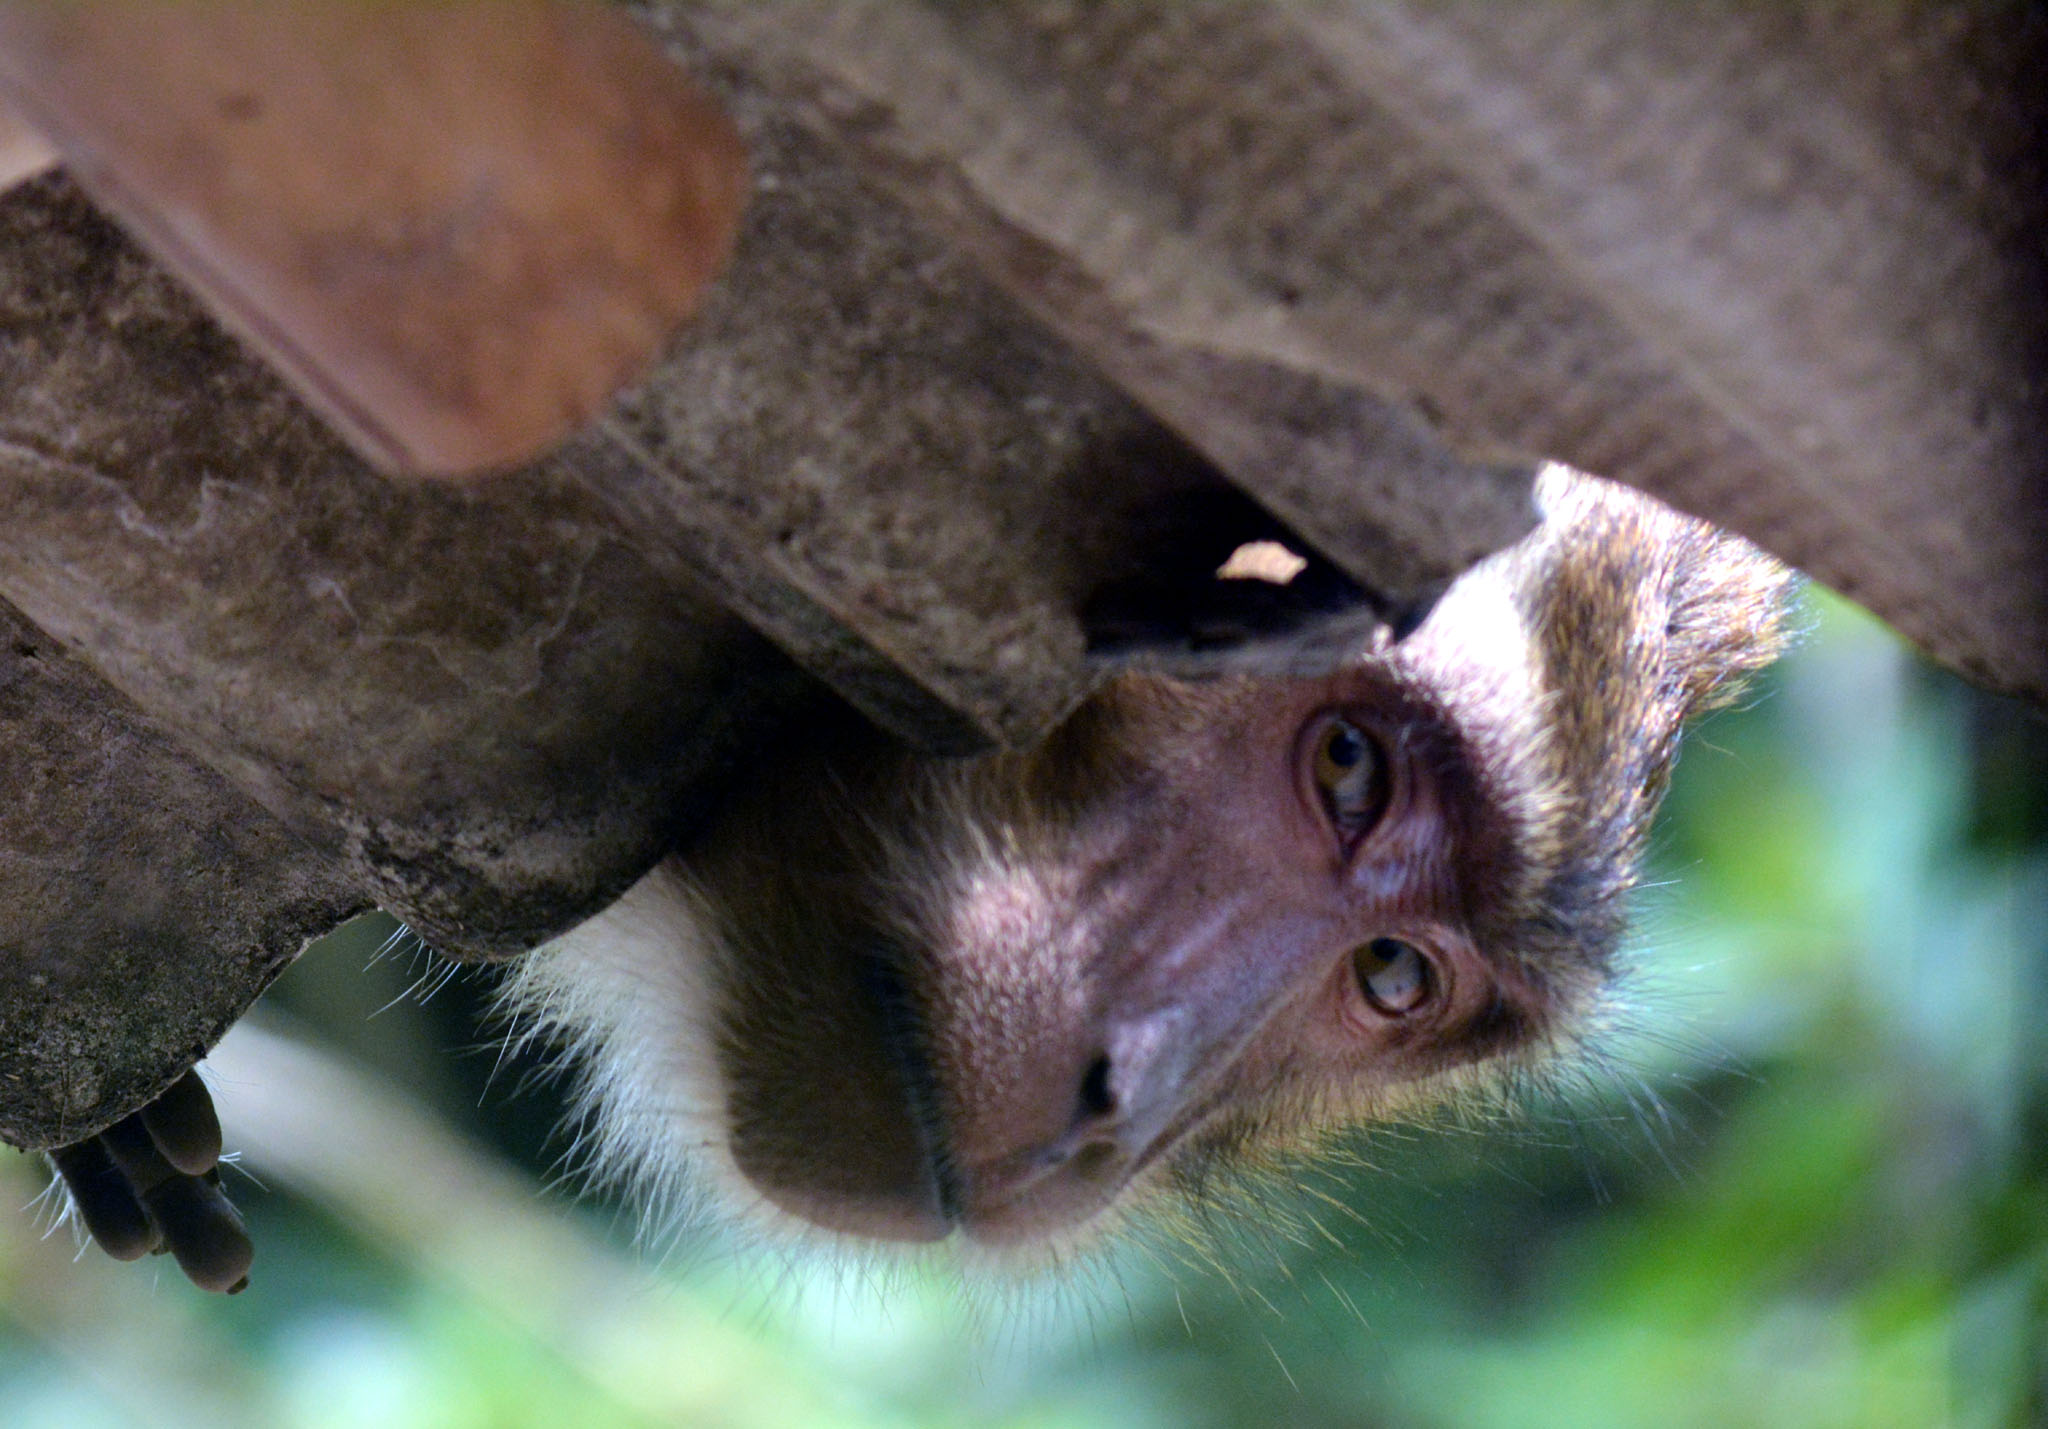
(1805, 1186)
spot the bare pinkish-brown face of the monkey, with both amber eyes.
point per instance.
(992, 998)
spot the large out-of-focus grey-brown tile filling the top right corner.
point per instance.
(1781, 265)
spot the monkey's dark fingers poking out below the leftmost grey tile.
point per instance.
(153, 1182)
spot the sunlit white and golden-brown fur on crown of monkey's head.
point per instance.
(1637, 619)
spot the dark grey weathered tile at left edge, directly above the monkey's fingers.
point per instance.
(146, 902)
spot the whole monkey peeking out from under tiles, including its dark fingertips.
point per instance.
(1021, 1000)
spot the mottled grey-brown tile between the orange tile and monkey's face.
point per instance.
(886, 468)
